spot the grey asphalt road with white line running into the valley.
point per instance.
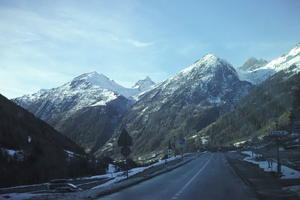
(208, 177)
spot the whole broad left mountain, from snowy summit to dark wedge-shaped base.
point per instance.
(85, 109)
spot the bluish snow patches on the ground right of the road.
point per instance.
(287, 172)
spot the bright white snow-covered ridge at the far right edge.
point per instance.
(260, 74)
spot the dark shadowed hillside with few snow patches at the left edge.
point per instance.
(29, 147)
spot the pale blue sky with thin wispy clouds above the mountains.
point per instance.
(44, 44)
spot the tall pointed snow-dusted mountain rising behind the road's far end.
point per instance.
(182, 105)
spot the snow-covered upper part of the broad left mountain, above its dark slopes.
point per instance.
(90, 89)
